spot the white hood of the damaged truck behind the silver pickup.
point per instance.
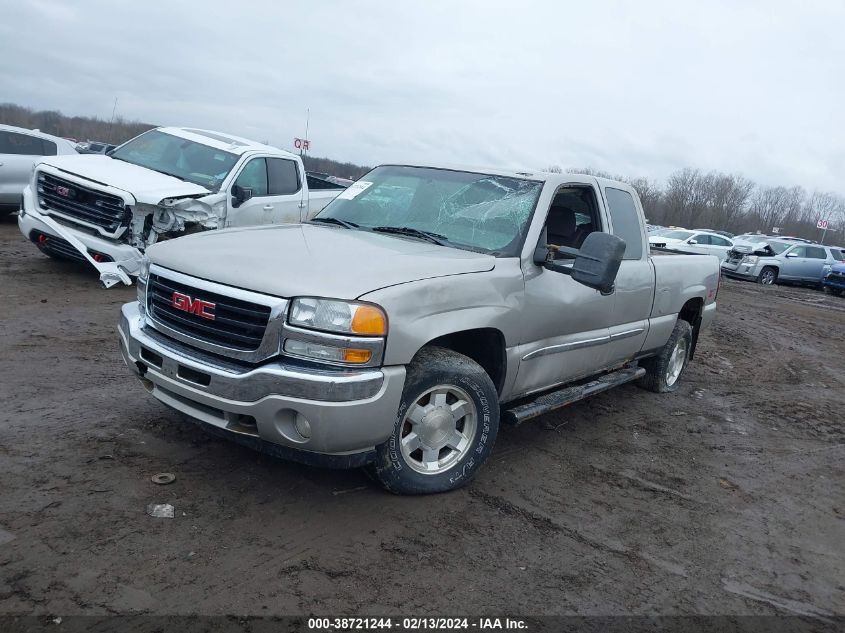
(145, 185)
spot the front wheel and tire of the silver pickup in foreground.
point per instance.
(445, 428)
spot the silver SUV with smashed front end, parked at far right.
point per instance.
(774, 261)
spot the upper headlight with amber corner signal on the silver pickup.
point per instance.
(332, 315)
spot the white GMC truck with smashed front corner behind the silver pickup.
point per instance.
(167, 182)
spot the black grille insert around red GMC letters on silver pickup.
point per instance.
(237, 324)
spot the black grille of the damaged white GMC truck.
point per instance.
(80, 203)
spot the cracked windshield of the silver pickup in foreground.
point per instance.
(470, 211)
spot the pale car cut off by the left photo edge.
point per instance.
(20, 149)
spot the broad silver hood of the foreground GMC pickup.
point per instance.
(303, 259)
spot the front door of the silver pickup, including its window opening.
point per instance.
(564, 332)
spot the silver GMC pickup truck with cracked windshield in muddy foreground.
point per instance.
(419, 309)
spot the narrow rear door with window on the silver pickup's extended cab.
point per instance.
(633, 294)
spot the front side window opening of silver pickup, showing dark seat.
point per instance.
(572, 217)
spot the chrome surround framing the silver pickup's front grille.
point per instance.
(270, 344)
